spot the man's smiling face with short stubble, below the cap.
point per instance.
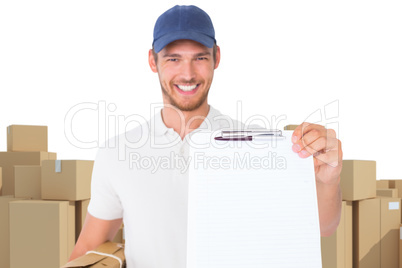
(185, 70)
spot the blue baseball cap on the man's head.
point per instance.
(183, 22)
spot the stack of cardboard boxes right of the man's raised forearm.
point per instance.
(369, 230)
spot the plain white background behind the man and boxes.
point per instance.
(287, 59)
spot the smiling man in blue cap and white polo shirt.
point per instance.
(153, 202)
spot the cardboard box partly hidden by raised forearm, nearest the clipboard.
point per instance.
(336, 250)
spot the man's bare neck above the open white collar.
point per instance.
(183, 122)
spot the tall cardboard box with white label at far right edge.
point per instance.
(390, 222)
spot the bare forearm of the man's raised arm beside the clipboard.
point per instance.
(329, 199)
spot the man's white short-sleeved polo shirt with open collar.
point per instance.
(145, 183)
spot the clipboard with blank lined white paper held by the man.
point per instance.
(255, 212)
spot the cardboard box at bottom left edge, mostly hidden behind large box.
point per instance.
(5, 230)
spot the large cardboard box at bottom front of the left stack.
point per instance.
(42, 233)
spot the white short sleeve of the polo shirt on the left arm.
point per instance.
(105, 203)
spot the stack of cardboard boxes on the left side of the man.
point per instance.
(43, 201)
